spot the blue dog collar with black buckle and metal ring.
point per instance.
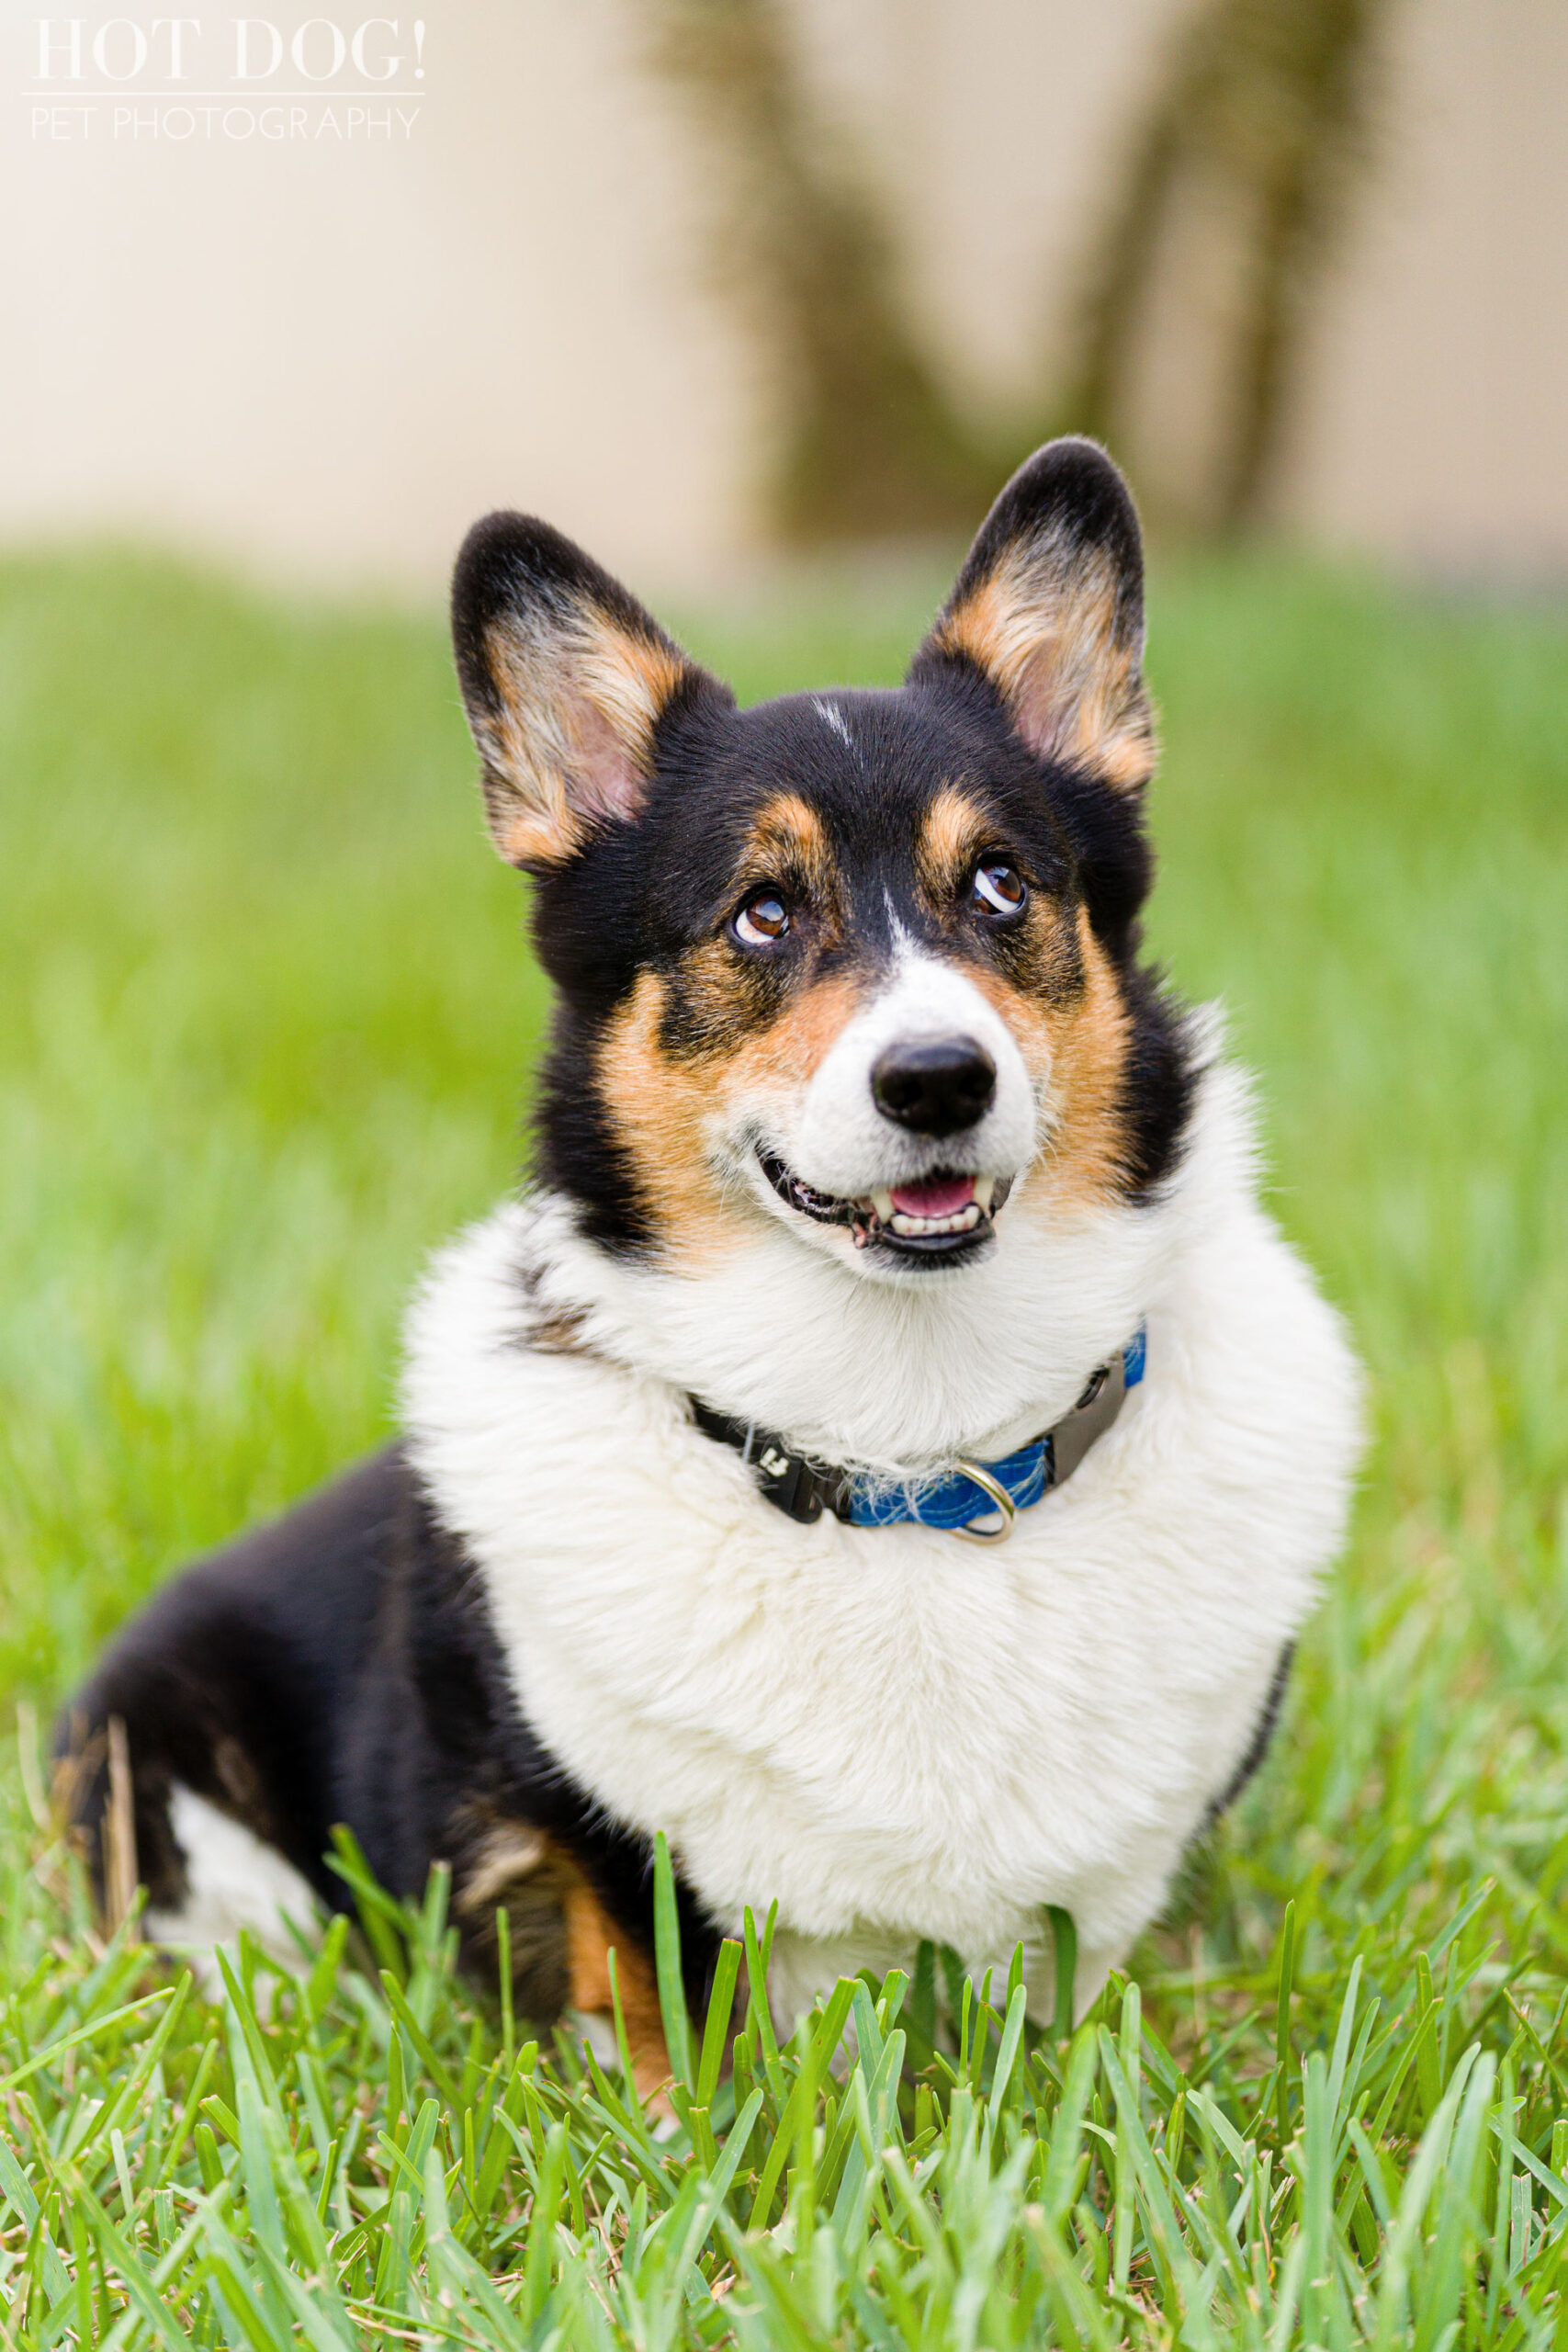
(960, 1499)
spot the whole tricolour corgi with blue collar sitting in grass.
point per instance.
(887, 1445)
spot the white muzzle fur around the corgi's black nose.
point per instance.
(843, 1144)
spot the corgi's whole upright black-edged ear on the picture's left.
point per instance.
(565, 681)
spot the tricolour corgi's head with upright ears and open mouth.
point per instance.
(862, 963)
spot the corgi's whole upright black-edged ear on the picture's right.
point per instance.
(1050, 608)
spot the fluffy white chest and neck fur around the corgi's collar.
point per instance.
(892, 1732)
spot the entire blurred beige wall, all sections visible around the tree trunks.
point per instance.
(326, 359)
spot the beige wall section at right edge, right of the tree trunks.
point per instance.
(1435, 422)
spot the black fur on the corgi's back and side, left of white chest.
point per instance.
(340, 1666)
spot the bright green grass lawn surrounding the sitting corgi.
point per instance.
(267, 1029)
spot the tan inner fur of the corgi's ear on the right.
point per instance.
(1047, 636)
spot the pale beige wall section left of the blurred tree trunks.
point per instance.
(335, 356)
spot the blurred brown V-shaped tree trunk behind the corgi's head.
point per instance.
(1240, 173)
